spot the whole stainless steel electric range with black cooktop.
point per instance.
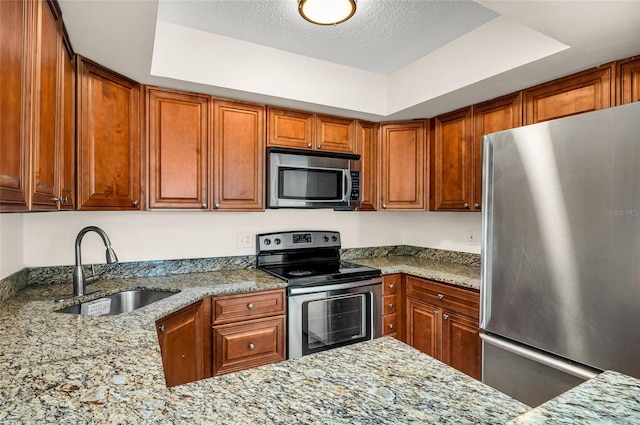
(330, 302)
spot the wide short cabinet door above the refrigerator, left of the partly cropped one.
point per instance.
(582, 92)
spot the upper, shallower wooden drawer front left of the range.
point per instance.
(240, 307)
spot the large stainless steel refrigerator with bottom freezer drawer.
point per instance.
(560, 284)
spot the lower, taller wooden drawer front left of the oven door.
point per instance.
(248, 344)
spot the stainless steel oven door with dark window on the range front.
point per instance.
(330, 316)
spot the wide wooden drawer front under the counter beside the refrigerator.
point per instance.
(461, 300)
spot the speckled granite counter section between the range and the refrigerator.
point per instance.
(464, 275)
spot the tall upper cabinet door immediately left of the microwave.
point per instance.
(239, 151)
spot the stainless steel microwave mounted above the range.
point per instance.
(307, 179)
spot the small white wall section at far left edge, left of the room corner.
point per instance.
(11, 244)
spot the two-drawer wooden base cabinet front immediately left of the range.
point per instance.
(248, 330)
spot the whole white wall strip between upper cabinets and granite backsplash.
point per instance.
(48, 238)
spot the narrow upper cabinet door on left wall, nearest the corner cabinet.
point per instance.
(67, 105)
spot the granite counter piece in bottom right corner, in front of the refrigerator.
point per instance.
(610, 397)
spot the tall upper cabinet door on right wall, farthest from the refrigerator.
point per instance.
(451, 162)
